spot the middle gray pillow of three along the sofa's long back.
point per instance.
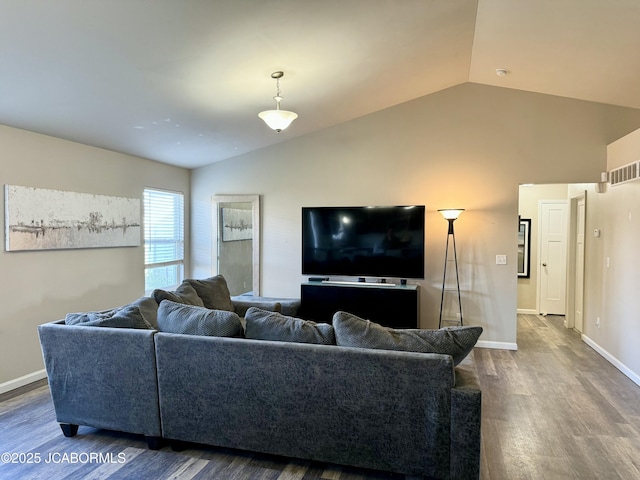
(264, 325)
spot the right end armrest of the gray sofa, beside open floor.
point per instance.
(466, 410)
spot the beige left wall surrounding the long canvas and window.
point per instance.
(37, 287)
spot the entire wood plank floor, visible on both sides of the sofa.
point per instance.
(554, 409)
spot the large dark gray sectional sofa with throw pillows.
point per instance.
(380, 408)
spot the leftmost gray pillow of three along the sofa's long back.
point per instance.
(192, 320)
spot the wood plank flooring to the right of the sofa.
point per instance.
(555, 409)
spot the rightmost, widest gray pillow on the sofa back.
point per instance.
(353, 331)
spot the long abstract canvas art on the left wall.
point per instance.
(43, 219)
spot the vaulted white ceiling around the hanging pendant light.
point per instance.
(182, 81)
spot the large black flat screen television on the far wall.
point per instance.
(363, 241)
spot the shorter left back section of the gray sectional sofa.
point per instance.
(102, 377)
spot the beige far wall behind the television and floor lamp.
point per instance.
(469, 146)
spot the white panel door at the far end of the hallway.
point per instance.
(553, 257)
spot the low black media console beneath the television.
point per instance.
(396, 306)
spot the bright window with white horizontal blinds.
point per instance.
(163, 240)
